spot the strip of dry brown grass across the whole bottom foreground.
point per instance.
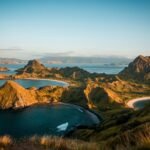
(126, 141)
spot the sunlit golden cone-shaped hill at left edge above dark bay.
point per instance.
(12, 95)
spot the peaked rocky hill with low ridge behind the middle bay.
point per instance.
(35, 69)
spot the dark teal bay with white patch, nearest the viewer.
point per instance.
(45, 119)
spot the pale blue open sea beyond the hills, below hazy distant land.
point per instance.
(98, 68)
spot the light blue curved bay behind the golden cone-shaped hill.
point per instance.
(36, 83)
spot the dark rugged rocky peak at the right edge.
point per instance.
(138, 70)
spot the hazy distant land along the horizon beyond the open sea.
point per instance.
(113, 60)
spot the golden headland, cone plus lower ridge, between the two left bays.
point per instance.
(13, 95)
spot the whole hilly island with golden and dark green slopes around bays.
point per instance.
(105, 95)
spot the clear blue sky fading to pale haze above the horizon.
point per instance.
(37, 28)
